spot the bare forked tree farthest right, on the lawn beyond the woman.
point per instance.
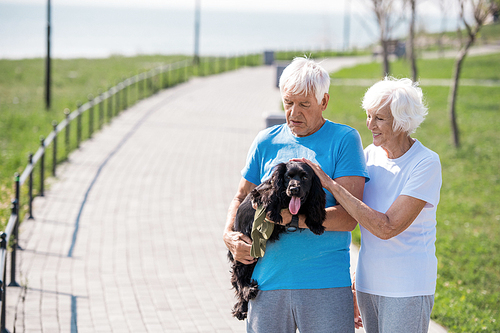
(479, 11)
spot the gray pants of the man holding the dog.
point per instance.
(308, 310)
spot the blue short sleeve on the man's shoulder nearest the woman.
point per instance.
(350, 159)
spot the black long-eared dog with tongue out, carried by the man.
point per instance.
(293, 185)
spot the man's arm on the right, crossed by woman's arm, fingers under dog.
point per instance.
(337, 218)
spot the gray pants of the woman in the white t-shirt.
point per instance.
(382, 314)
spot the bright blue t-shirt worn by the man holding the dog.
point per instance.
(303, 260)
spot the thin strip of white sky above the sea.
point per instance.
(331, 6)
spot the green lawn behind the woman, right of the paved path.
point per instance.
(468, 286)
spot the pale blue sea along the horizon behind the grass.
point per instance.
(101, 32)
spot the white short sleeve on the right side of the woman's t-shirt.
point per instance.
(425, 181)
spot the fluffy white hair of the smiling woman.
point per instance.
(404, 98)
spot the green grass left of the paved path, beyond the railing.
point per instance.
(24, 119)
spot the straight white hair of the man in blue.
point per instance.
(305, 76)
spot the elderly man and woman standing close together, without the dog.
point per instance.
(391, 189)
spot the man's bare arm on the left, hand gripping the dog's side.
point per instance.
(236, 242)
